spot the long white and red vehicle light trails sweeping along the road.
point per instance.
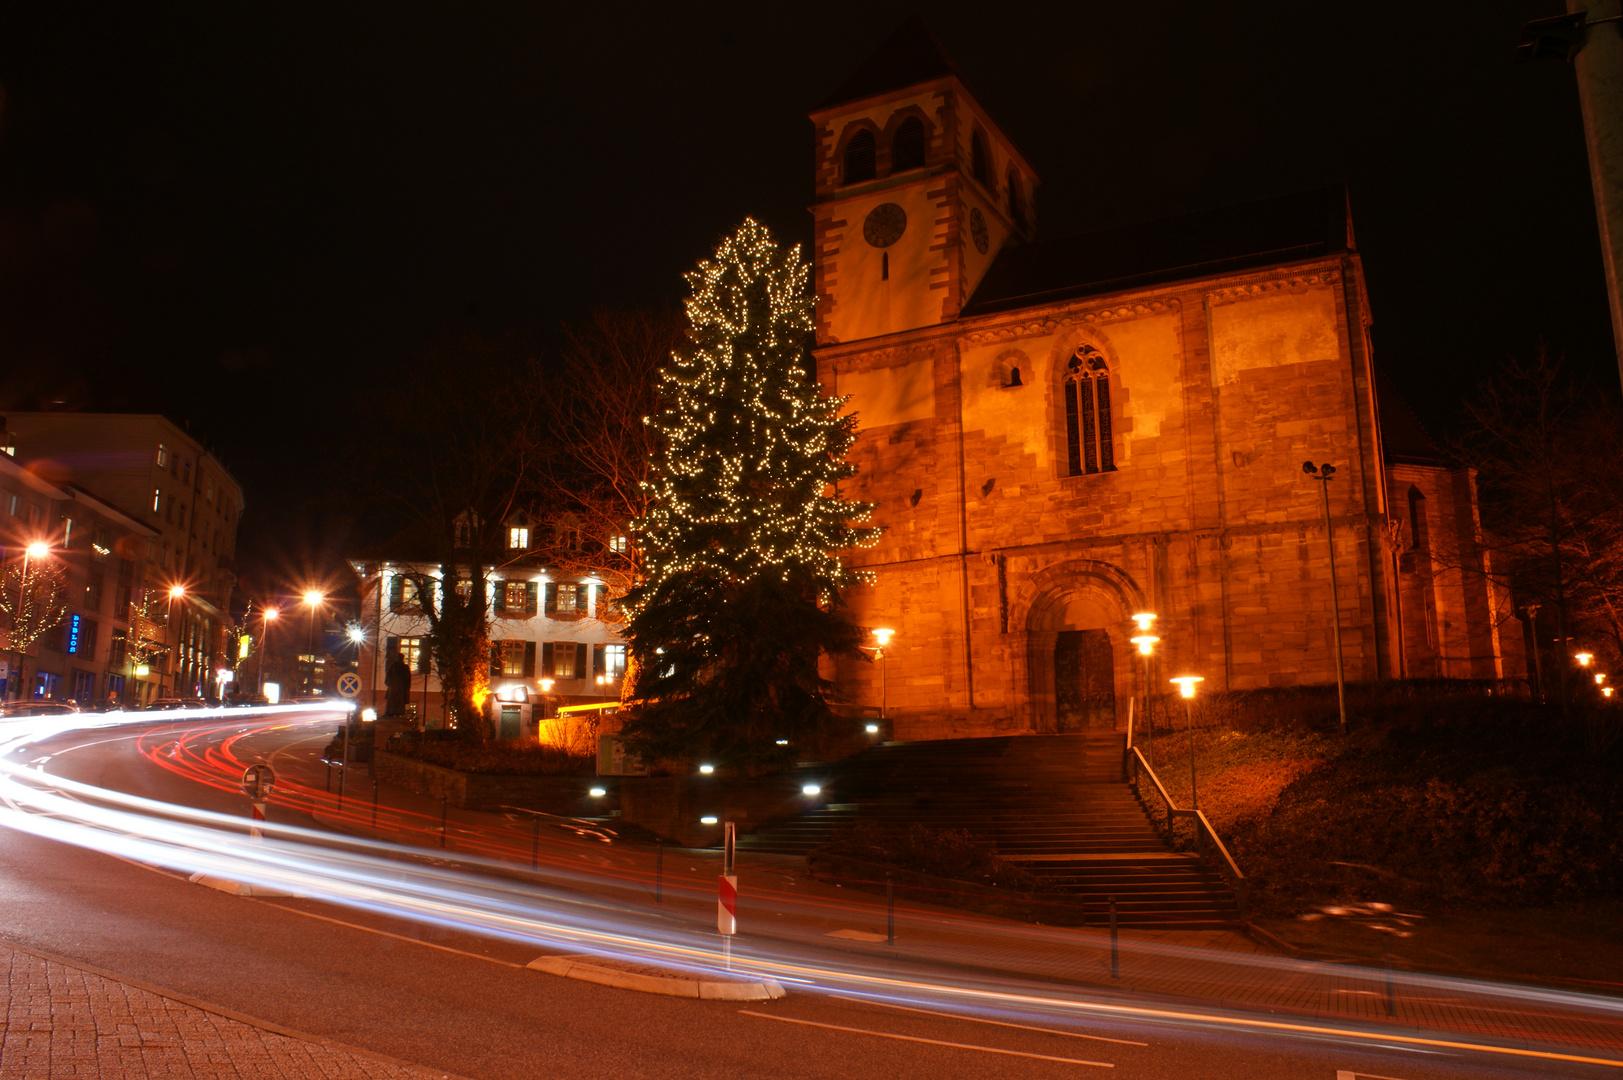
(572, 912)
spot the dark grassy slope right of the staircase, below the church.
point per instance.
(1492, 821)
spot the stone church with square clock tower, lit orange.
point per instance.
(1062, 434)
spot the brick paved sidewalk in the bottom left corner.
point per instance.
(61, 1021)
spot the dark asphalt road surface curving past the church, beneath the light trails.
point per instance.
(465, 1003)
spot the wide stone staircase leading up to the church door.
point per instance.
(1057, 805)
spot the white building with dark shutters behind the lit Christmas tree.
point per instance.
(554, 639)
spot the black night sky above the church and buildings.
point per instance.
(246, 217)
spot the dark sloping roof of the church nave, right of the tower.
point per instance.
(1280, 230)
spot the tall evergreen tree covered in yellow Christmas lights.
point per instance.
(741, 545)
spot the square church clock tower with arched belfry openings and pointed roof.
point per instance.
(918, 189)
